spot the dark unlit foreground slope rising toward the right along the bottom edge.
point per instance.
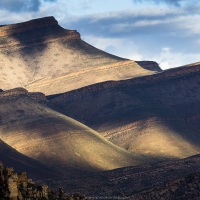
(139, 181)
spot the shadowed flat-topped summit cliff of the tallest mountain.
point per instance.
(34, 32)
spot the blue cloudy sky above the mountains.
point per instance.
(165, 31)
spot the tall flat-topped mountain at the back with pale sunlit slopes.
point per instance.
(44, 57)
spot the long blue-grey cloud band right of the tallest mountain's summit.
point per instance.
(125, 25)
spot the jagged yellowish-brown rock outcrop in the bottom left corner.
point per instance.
(17, 186)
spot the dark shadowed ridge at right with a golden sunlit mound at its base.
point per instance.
(156, 115)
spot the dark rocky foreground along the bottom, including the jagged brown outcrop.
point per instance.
(166, 180)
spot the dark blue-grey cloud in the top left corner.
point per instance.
(20, 5)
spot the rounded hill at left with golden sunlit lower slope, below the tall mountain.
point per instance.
(55, 139)
